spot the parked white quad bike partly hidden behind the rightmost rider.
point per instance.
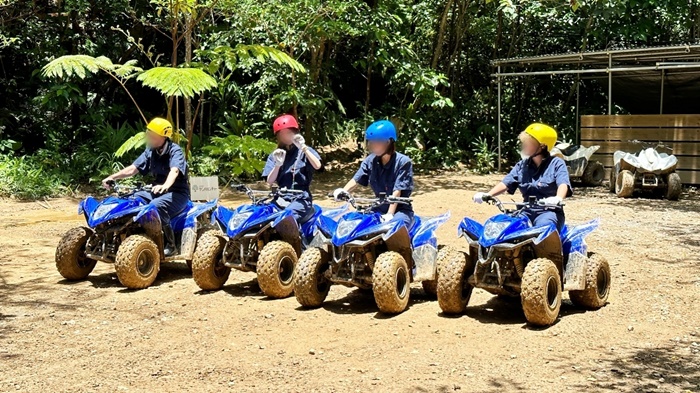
(579, 164)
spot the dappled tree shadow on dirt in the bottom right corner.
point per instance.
(671, 367)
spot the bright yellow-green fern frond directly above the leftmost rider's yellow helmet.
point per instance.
(179, 82)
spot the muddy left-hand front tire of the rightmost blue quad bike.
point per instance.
(454, 268)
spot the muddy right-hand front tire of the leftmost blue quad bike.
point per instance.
(138, 262)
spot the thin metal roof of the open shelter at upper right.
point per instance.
(618, 56)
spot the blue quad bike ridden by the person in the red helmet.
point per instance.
(260, 237)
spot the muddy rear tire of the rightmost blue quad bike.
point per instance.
(597, 289)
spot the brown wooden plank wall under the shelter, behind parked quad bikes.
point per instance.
(613, 133)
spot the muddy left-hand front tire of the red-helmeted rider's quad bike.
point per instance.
(208, 269)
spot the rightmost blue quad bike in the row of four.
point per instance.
(509, 257)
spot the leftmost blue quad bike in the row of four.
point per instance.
(126, 230)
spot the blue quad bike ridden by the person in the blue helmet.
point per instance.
(362, 251)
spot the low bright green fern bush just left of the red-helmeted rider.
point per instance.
(238, 155)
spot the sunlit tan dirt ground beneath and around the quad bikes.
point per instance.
(95, 336)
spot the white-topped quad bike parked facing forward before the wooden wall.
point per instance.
(649, 170)
